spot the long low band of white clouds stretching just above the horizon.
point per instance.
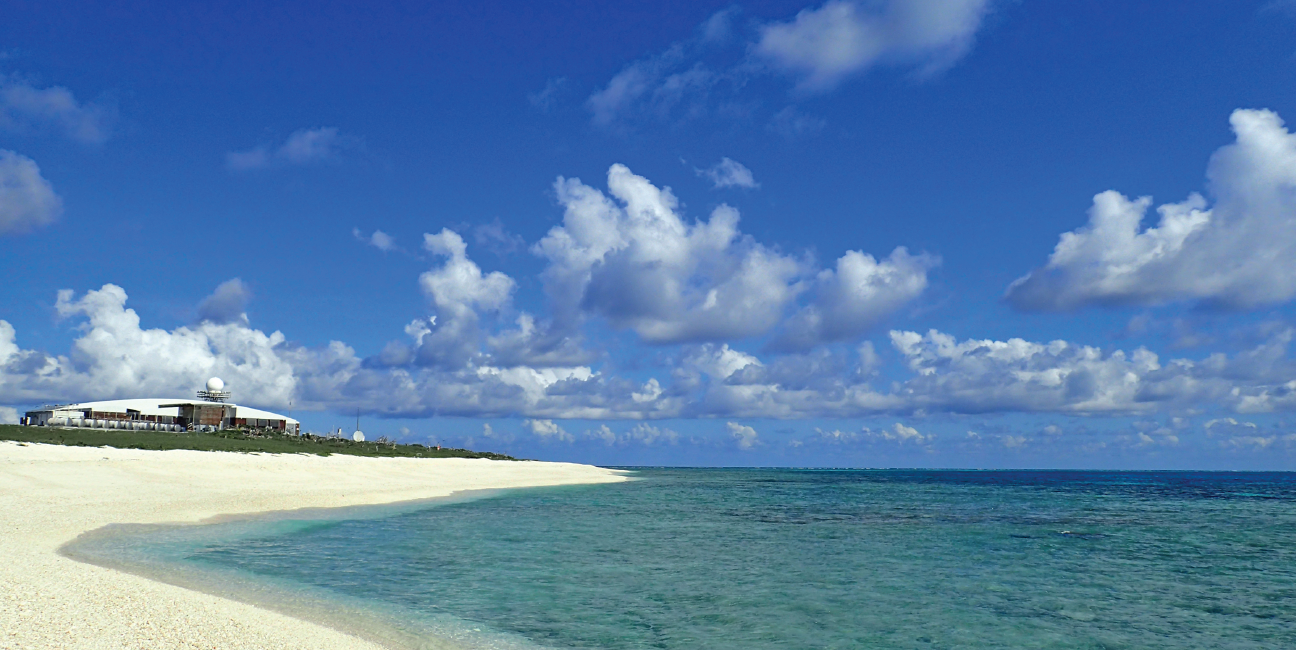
(115, 357)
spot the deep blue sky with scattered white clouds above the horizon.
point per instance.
(873, 234)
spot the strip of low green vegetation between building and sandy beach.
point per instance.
(230, 442)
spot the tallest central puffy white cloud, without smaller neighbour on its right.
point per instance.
(636, 262)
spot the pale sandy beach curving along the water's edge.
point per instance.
(50, 495)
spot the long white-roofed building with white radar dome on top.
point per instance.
(209, 412)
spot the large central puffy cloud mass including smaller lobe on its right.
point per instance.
(632, 260)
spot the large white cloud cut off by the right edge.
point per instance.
(1238, 253)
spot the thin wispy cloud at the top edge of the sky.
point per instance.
(710, 74)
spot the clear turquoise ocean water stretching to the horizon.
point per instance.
(798, 560)
